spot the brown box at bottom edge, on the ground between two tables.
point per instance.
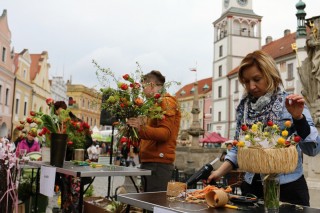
(95, 204)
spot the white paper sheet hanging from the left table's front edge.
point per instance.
(47, 179)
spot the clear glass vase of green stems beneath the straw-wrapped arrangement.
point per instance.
(271, 193)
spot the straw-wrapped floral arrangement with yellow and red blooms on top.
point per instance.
(272, 150)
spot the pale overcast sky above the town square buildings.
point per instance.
(167, 35)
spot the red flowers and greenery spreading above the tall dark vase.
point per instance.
(42, 125)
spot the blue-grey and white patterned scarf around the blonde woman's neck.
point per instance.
(263, 109)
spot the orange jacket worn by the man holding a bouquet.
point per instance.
(158, 137)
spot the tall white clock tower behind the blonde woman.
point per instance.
(236, 33)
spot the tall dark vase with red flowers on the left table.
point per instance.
(57, 129)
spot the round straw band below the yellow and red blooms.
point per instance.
(268, 161)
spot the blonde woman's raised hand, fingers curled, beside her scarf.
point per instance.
(295, 104)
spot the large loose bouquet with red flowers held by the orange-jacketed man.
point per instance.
(126, 99)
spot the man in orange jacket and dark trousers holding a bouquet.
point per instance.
(158, 137)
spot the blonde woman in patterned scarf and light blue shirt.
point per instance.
(264, 100)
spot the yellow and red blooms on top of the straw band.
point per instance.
(267, 136)
